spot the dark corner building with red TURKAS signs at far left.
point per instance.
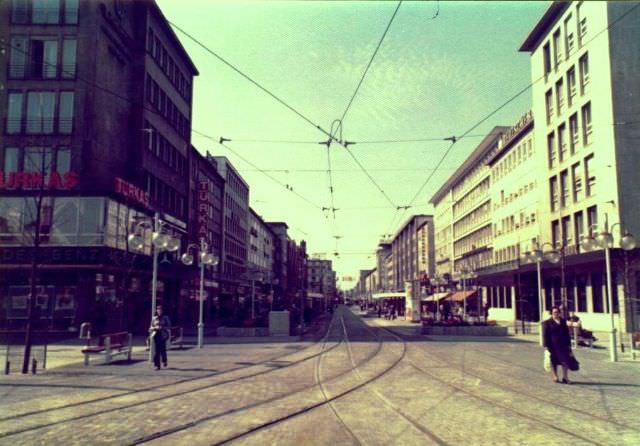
(96, 112)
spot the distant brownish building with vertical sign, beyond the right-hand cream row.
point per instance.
(405, 249)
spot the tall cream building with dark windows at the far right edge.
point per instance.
(585, 101)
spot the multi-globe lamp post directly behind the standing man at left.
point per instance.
(160, 242)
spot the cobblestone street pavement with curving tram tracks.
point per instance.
(368, 381)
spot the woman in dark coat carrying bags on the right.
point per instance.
(557, 341)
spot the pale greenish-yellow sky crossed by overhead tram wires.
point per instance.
(441, 69)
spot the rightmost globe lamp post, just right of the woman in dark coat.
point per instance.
(605, 240)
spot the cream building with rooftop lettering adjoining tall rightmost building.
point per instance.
(515, 196)
